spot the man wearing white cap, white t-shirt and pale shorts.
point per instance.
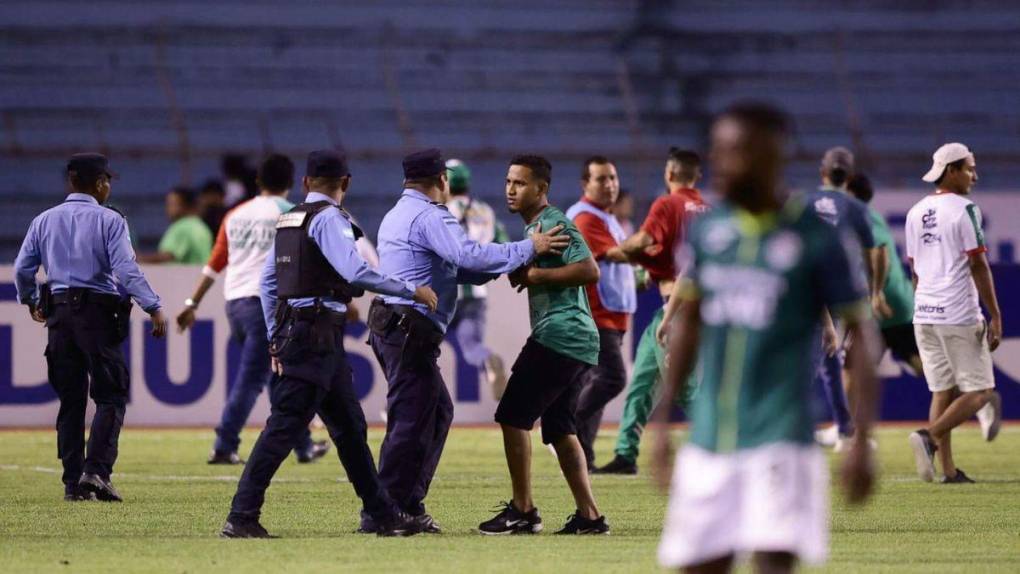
(947, 252)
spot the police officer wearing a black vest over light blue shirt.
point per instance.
(311, 276)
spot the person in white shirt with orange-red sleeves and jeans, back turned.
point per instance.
(243, 243)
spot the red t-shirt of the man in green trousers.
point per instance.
(667, 224)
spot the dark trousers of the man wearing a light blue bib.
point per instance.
(604, 383)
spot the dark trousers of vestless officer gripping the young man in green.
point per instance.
(420, 412)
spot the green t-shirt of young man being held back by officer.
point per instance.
(562, 319)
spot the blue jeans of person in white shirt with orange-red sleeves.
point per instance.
(248, 329)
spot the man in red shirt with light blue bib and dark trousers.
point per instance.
(613, 300)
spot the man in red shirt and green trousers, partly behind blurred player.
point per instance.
(658, 248)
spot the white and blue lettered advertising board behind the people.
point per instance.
(183, 381)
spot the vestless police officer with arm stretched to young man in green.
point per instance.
(420, 241)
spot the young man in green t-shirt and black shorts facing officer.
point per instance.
(548, 376)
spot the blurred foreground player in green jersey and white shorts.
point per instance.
(751, 481)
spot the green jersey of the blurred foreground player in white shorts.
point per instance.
(761, 283)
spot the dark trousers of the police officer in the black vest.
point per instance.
(314, 382)
